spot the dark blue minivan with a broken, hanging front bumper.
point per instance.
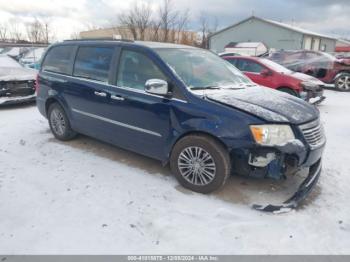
(183, 106)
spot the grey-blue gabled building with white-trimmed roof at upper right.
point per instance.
(273, 34)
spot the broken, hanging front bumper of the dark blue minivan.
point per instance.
(282, 161)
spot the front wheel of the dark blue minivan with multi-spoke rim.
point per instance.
(215, 161)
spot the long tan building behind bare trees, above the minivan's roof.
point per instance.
(150, 34)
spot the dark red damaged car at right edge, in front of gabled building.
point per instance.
(323, 66)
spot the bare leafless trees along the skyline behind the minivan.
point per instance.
(142, 21)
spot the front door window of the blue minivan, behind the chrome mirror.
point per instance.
(135, 69)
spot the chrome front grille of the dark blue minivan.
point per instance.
(314, 134)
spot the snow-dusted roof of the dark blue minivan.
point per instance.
(149, 44)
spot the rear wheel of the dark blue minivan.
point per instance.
(59, 123)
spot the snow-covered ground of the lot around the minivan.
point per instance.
(85, 196)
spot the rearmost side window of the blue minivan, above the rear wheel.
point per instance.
(58, 59)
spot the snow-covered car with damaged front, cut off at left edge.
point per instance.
(17, 84)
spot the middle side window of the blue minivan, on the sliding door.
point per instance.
(93, 63)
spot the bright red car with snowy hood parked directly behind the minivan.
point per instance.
(270, 74)
